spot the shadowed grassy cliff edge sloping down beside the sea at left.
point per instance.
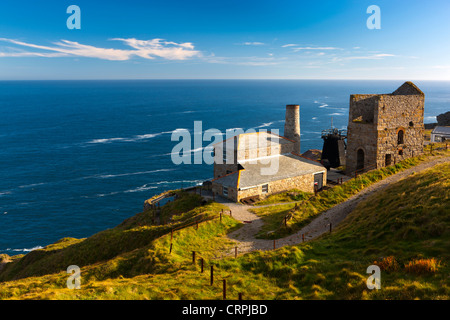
(134, 233)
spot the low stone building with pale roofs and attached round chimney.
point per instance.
(262, 163)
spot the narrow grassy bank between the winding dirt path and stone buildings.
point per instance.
(273, 216)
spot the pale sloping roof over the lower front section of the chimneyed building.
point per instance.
(289, 165)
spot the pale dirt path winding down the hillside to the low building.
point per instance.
(245, 236)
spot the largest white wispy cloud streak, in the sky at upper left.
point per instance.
(147, 49)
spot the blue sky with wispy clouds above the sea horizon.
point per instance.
(230, 39)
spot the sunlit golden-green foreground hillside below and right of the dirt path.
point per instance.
(408, 220)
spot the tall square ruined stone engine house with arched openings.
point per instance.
(384, 128)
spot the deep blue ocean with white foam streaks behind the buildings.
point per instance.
(78, 157)
